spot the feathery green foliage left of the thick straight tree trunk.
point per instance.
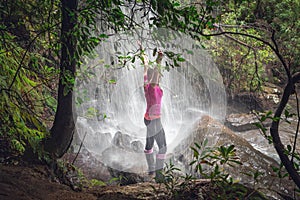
(28, 73)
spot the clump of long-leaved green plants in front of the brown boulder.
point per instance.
(210, 163)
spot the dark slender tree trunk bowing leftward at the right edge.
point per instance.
(288, 164)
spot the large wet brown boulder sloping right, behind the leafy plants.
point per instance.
(217, 134)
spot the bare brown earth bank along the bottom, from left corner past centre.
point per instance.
(35, 182)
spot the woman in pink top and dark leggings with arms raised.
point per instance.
(152, 118)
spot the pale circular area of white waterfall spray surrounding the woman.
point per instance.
(190, 90)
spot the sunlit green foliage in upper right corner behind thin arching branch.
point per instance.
(243, 52)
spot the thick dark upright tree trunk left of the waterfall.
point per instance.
(64, 123)
